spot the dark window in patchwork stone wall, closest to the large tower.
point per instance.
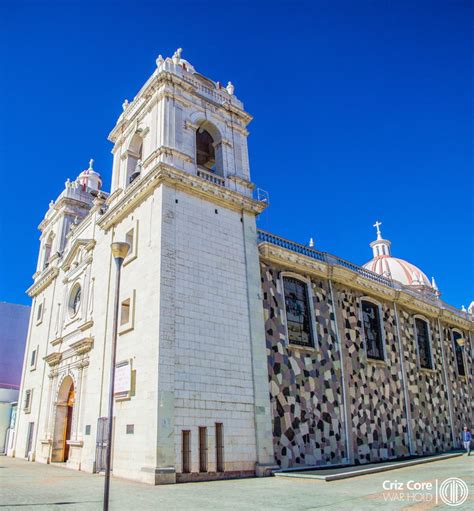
(298, 313)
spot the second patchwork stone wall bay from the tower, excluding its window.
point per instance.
(376, 399)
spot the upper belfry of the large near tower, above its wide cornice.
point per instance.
(186, 120)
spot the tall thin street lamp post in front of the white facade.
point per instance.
(119, 252)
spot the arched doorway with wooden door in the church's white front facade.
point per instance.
(63, 421)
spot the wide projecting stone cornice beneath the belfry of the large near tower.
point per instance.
(164, 173)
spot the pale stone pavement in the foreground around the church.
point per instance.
(32, 486)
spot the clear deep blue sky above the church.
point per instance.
(362, 111)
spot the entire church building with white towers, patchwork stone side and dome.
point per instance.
(239, 352)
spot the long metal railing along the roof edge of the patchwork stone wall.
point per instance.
(266, 237)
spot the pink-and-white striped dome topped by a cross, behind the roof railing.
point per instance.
(397, 269)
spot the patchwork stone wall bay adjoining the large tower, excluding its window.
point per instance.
(305, 383)
